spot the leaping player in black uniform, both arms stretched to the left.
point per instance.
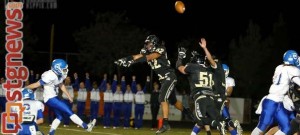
(154, 52)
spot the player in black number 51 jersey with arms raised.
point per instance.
(201, 83)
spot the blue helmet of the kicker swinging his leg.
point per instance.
(59, 67)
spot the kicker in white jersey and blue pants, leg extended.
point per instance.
(51, 80)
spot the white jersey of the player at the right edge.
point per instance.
(281, 82)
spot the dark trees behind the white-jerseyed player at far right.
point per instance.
(253, 59)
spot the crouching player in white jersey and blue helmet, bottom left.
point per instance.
(32, 115)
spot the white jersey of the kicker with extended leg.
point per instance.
(51, 84)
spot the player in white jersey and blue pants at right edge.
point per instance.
(272, 105)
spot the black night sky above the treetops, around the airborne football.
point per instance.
(219, 22)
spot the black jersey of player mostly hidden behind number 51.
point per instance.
(219, 86)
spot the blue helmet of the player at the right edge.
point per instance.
(290, 57)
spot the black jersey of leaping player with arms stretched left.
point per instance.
(161, 65)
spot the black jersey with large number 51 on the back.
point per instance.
(200, 77)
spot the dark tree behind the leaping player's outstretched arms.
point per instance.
(110, 37)
